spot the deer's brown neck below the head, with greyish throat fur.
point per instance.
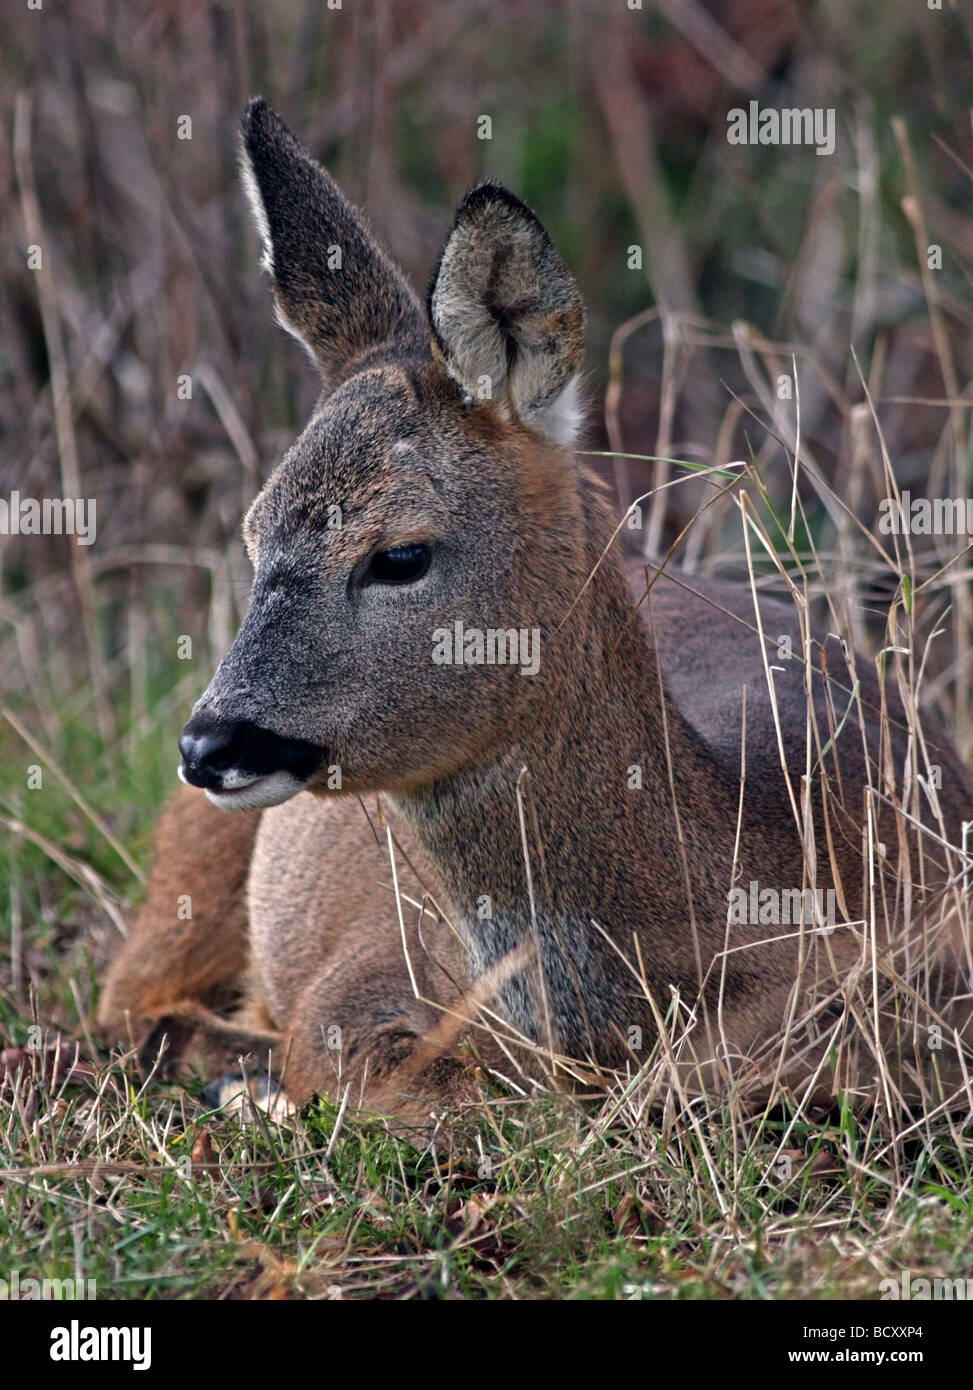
(583, 846)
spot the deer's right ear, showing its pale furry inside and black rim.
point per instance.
(507, 315)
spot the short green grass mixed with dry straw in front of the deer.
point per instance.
(559, 1217)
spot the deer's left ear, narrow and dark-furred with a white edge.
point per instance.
(334, 287)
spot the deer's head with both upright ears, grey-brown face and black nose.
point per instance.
(432, 487)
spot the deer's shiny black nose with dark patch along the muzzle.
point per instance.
(213, 747)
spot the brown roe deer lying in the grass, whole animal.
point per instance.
(571, 828)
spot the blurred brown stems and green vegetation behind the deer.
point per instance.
(612, 123)
